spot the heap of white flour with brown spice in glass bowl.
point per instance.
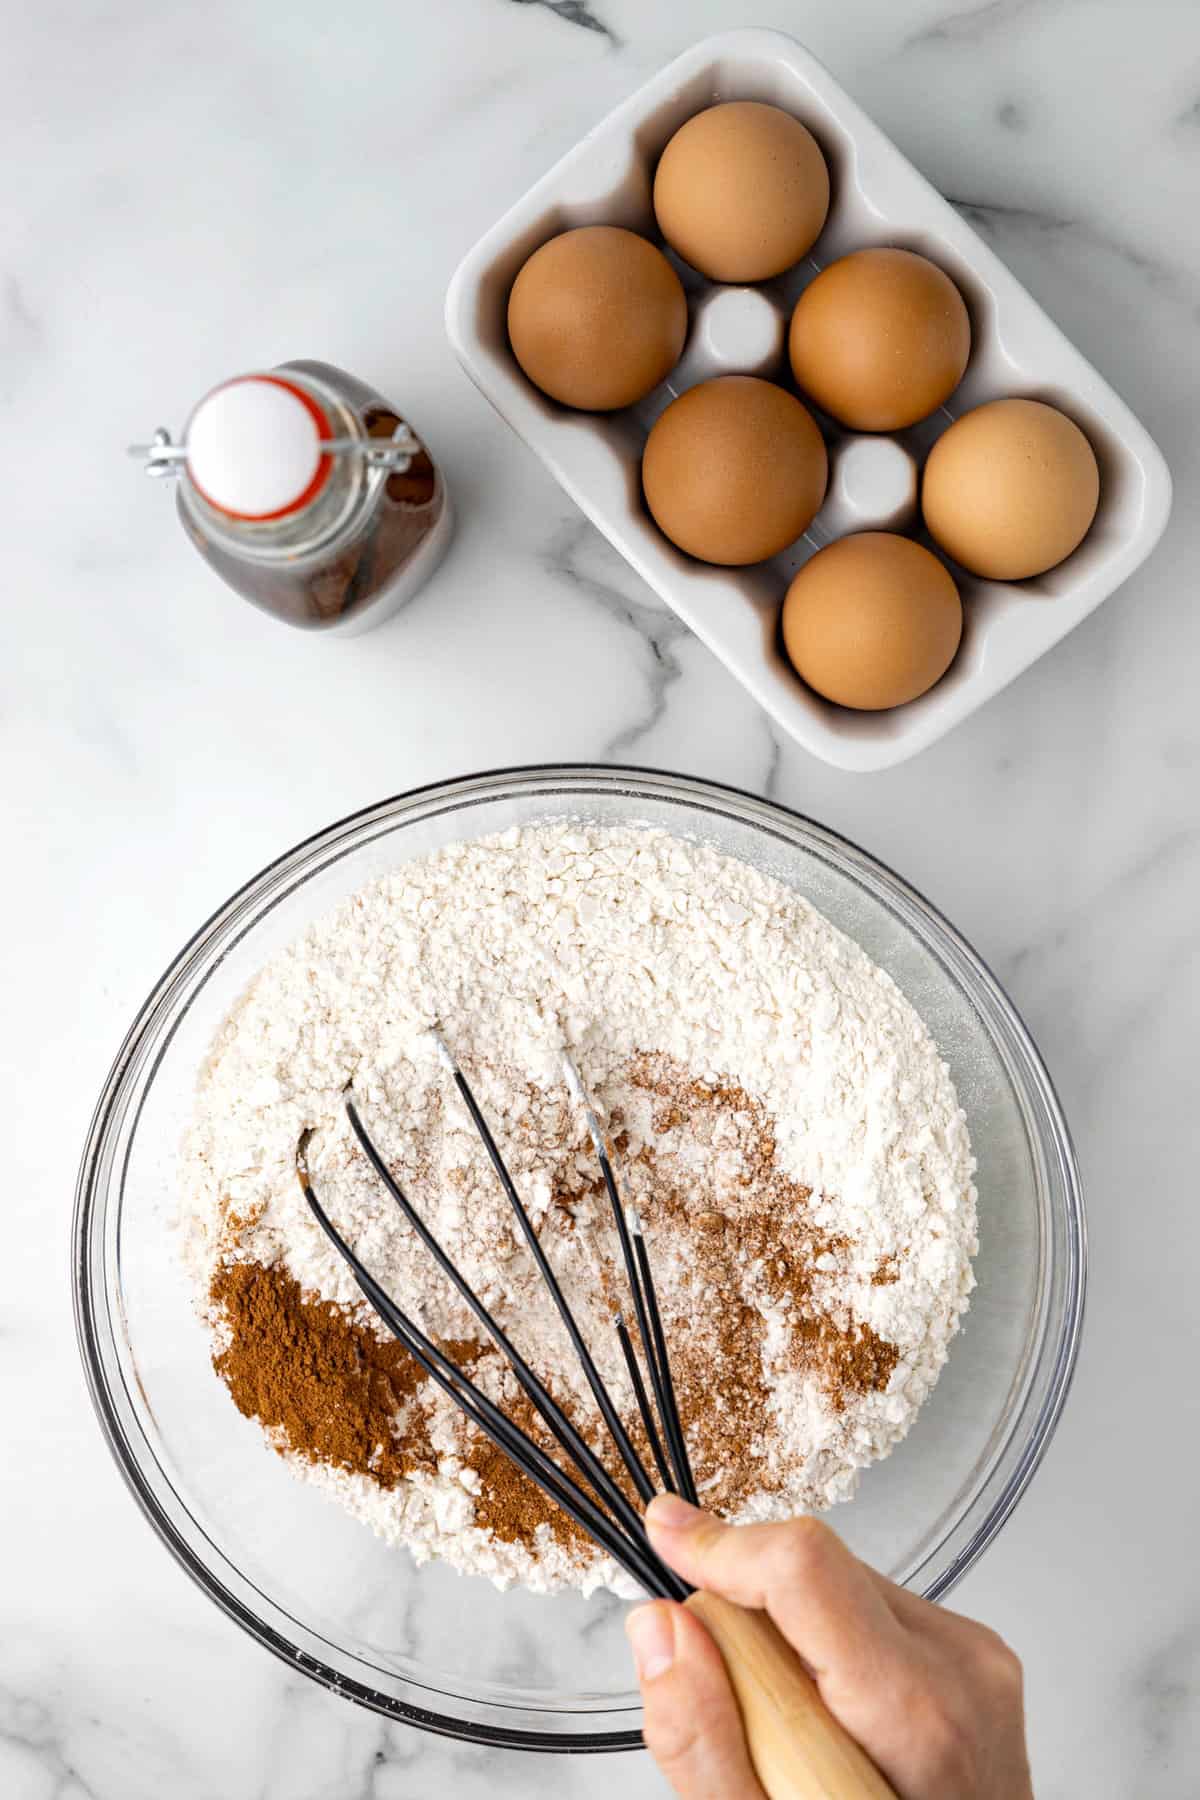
(782, 1120)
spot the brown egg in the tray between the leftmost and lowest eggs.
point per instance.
(735, 471)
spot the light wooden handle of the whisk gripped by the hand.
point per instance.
(798, 1749)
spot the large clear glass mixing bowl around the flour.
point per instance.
(443, 1651)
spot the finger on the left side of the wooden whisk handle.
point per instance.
(692, 1722)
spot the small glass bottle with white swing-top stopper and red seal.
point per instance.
(310, 496)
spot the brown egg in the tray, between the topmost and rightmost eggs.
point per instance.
(881, 339)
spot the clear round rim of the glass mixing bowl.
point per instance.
(476, 786)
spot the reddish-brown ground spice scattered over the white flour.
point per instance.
(327, 1387)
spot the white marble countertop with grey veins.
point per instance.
(199, 190)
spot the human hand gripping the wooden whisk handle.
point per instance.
(933, 1698)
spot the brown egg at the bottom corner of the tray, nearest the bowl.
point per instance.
(872, 622)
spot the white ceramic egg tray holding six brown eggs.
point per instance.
(877, 199)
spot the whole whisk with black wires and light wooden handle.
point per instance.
(796, 1745)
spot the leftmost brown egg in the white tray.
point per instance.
(598, 318)
